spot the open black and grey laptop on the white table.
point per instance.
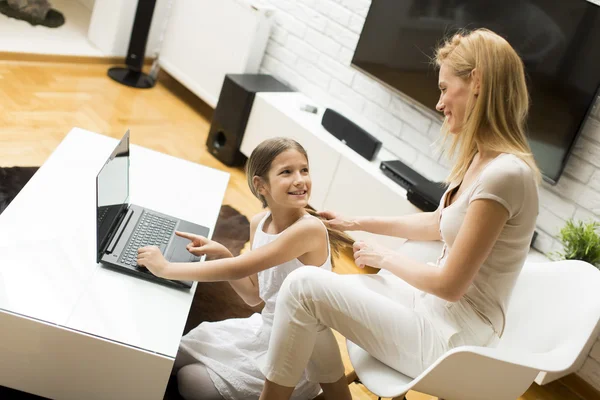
(122, 228)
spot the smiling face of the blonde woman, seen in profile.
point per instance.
(454, 94)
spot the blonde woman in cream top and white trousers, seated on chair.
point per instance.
(411, 316)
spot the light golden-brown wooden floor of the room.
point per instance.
(40, 102)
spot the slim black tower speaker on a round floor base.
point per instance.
(132, 75)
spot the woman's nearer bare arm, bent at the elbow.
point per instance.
(482, 225)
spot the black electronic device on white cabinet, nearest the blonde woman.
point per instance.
(420, 191)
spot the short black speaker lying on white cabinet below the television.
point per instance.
(351, 134)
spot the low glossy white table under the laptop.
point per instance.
(71, 328)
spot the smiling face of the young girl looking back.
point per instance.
(289, 180)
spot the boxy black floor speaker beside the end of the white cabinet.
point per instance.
(232, 112)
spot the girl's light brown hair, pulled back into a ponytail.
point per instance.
(259, 164)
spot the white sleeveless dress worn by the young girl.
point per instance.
(231, 349)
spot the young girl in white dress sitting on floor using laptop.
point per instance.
(220, 360)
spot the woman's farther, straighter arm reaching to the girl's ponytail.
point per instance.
(420, 226)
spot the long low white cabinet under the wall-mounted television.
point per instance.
(343, 181)
